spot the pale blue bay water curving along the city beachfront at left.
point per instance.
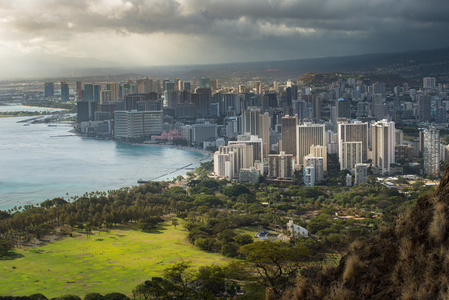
(39, 162)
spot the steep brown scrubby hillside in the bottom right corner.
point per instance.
(408, 261)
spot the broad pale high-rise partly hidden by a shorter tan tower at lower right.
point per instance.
(306, 136)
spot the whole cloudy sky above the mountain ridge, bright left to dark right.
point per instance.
(37, 33)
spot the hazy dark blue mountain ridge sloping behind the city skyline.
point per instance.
(411, 64)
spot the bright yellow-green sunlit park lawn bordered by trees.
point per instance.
(111, 262)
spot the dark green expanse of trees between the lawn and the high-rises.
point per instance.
(212, 210)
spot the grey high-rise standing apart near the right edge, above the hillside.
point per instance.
(432, 151)
